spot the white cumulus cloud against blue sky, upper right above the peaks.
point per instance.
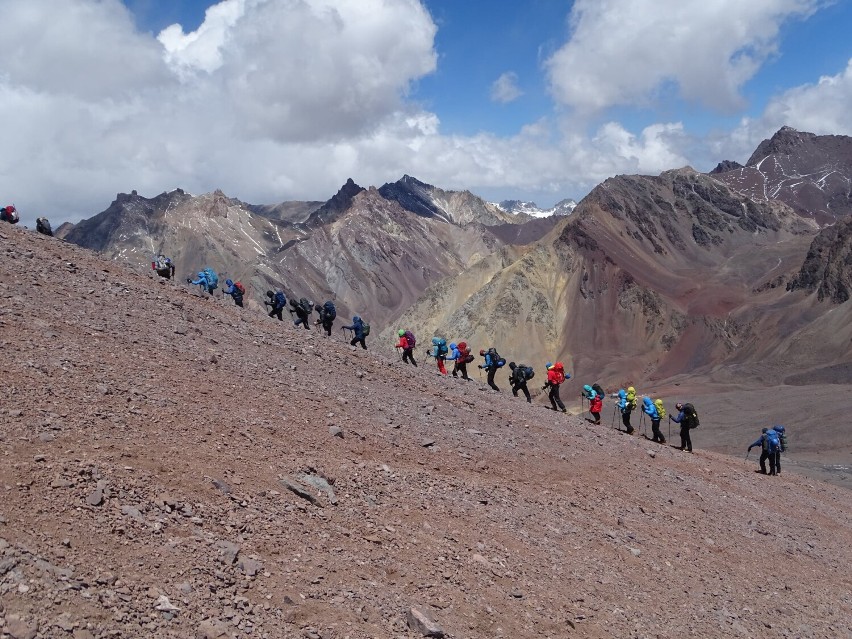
(625, 52)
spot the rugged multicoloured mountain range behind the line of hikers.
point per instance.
(740, 275)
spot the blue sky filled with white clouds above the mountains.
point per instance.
(274, 100)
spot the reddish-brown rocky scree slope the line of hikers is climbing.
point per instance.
(174, 466)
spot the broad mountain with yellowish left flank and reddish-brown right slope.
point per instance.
(650, 277)
